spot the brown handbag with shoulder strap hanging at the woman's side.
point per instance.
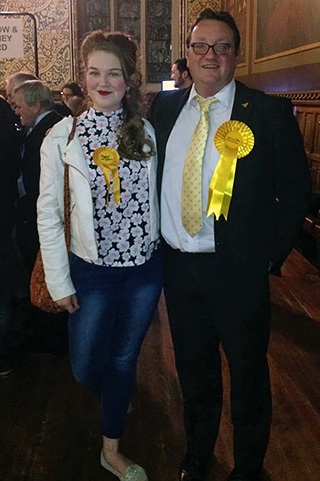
(39, 294)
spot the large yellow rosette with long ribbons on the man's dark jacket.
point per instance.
(233, 140)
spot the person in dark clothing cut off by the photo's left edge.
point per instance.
(9, 166)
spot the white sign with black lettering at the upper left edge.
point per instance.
(11, 37)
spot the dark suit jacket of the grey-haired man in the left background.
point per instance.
(27, 234)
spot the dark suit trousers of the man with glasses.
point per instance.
(206, 313)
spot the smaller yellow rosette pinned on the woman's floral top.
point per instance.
(107, 159)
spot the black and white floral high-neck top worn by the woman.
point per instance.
(122, 230)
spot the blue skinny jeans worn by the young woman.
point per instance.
(117, 305)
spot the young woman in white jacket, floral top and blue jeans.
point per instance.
(112, 285)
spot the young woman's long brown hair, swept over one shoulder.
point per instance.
(131, 136)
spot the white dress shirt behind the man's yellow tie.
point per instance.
(176, 151)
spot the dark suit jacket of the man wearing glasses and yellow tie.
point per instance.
(272, 183)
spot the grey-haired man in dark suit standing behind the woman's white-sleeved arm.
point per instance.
(34, 104)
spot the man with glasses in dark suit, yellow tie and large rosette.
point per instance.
(255, 190)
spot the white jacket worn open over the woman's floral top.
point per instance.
(55, 152)
